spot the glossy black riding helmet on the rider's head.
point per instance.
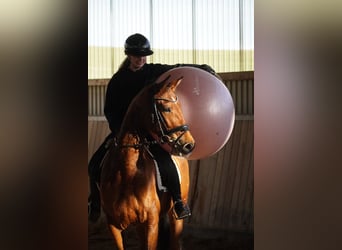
(137, 45)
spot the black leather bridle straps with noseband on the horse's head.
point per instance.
(158, 118)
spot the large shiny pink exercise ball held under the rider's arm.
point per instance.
(207, 106)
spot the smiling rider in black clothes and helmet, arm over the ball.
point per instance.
(133, 75)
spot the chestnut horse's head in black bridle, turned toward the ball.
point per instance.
(170, 128)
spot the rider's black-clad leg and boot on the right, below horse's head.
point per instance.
(170, 178)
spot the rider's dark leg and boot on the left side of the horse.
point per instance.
(94, 172)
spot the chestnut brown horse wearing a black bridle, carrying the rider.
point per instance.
(128, 186)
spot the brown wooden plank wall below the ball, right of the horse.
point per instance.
(222, 186)
